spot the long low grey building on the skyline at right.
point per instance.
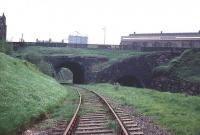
(161, 40)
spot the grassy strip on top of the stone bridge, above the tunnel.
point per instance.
(112, 55)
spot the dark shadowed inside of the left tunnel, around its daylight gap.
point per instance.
(77, 71)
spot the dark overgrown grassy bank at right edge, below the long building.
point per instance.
(186, 66)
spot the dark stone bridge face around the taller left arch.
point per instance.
(81, 67)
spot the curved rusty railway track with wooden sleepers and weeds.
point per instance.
(94, 115)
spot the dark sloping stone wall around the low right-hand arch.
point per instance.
(135, 71)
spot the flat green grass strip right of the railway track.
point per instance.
(178, 113)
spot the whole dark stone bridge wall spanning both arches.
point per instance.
(134, 71)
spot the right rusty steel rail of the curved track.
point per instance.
(124, 131)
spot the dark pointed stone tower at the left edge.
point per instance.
(3, 27)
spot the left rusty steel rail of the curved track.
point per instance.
(74, 119)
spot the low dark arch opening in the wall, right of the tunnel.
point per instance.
(130, 81)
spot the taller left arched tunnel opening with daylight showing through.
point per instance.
(77, 72)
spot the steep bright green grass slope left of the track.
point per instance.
(25, 94)
